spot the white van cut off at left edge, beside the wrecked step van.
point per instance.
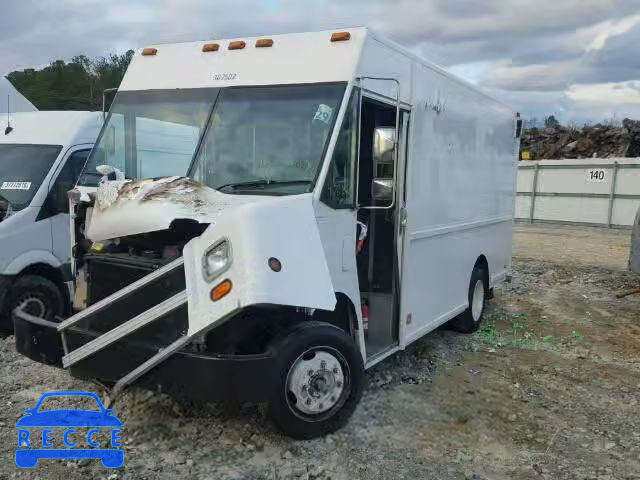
(41, 157)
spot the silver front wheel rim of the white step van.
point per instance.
(316, 383)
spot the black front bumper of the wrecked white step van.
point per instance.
(203, 376)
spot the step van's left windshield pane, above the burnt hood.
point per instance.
(151, 133)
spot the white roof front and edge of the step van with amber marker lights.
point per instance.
(238, 61)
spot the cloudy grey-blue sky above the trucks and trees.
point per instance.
(576, 59)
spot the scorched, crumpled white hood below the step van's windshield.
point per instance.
(124, 208)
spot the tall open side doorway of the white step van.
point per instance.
(377, 259)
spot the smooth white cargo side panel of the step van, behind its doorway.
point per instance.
(460, 197)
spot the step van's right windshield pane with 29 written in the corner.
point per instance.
(267, 140)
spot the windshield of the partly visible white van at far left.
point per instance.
(23, 168)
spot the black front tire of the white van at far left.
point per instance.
(42, 297)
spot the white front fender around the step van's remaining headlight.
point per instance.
(284, 228)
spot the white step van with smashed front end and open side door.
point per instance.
(344, 199)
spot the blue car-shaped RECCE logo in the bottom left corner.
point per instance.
(35, 433)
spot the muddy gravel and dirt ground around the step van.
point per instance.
(549, 388)
